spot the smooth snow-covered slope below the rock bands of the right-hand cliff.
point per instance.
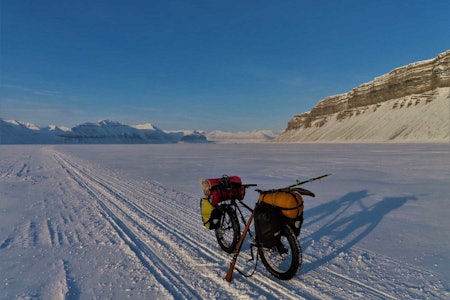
(414, 118)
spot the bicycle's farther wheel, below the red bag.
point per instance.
(229, 232)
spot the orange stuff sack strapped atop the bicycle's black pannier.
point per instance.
(290, 202)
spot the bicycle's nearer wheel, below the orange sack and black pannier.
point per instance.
(283, 260)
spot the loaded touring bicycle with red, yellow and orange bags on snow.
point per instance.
(277, 217)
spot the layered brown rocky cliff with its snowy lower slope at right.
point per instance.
(410, 103)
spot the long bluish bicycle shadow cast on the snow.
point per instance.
(343, 229)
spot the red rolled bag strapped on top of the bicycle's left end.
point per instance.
(224, 188)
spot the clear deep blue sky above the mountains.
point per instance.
(202, 64)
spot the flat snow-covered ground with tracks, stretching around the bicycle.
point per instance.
(122, 221)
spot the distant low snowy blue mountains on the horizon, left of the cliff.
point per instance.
(110, 132)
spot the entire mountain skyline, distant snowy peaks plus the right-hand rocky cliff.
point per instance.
(408, 104)
